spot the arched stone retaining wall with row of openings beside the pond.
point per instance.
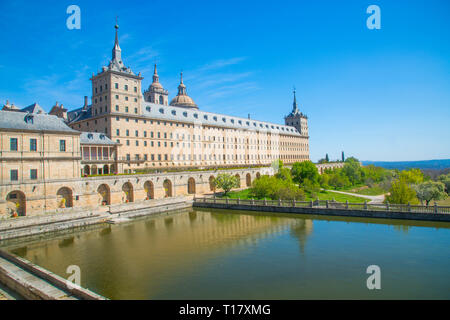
(64, 196)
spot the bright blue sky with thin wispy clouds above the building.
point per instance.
(376, 94)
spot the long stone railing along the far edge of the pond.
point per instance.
(326, 204)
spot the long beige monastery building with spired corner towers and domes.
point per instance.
(155, 135)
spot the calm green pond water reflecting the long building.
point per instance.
(218, 254)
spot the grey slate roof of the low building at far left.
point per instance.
(33, 122)
